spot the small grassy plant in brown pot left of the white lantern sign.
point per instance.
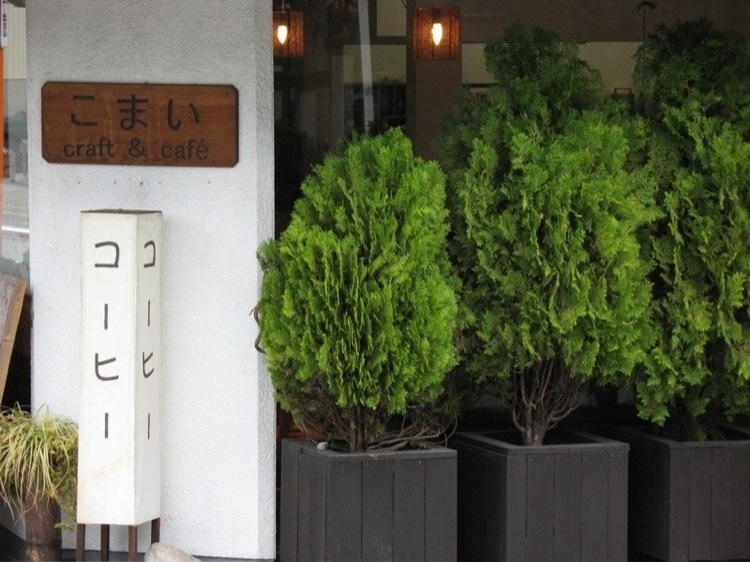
(38, 460)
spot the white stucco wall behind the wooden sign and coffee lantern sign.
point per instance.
(218, 467)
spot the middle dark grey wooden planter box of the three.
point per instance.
(549, 503)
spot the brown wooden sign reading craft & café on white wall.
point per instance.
(140, 124)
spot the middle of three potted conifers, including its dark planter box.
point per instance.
(547, 213)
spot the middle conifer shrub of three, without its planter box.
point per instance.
(547, 211)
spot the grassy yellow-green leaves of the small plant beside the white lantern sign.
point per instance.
(38, 459)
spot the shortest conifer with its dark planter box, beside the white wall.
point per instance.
(357, 313)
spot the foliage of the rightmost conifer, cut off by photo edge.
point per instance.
(695, 93)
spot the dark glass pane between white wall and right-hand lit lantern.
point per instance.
(351, 78)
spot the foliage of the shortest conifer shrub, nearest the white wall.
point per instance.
(357, 308)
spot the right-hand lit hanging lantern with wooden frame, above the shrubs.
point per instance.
(436, 33)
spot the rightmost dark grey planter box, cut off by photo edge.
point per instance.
(689, 500)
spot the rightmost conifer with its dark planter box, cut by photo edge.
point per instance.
(689, 472)
